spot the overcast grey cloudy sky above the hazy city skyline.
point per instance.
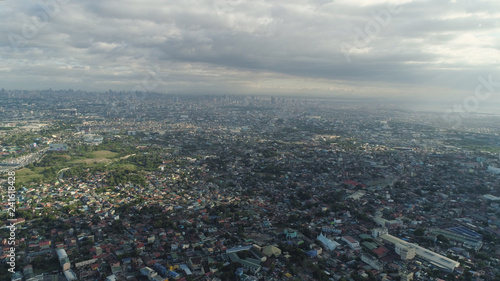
(410, 49)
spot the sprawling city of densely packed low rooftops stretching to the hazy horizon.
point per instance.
(165, 187)
